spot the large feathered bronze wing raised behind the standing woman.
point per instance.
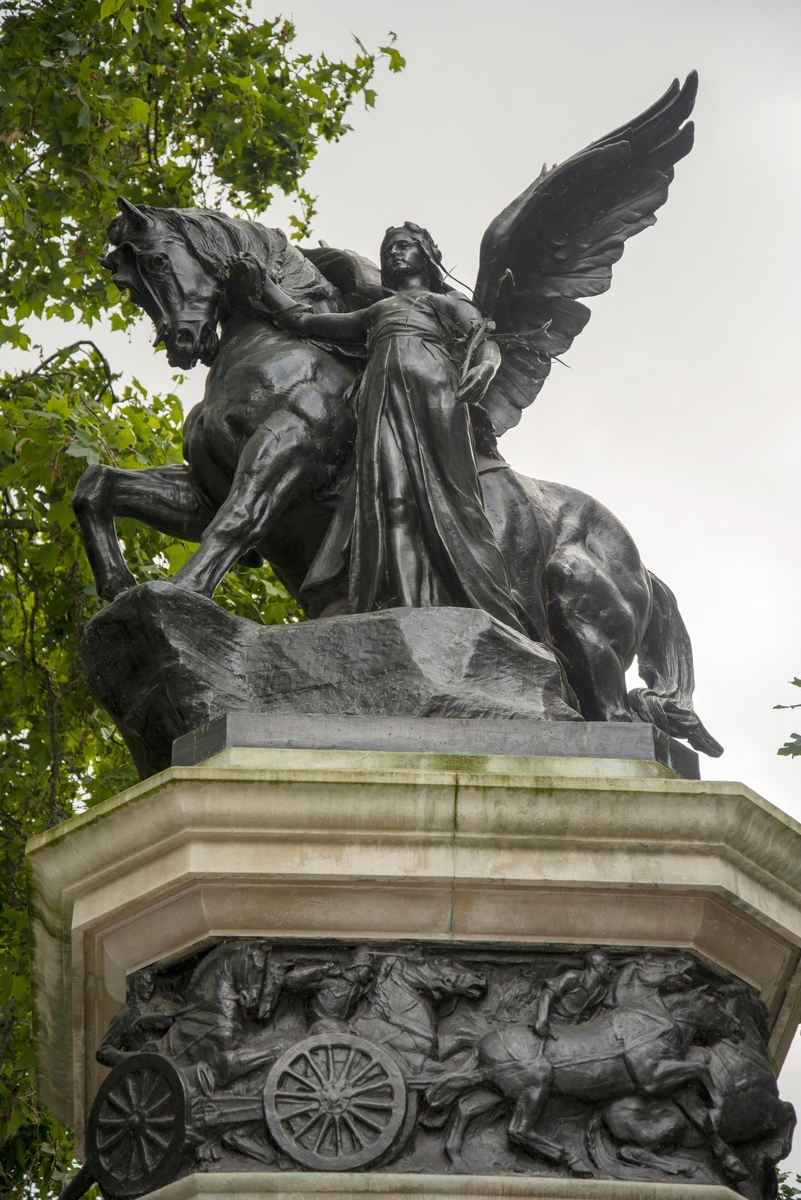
(561, 241)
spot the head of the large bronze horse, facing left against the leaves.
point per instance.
(155, 263)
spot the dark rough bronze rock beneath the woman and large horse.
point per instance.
(165, 662)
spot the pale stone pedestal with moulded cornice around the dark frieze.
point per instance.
(451, 850)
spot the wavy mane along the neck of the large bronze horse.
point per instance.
(215, 239)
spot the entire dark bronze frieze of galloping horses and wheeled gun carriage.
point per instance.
(257, 1055)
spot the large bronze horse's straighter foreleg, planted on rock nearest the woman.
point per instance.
(279, 467)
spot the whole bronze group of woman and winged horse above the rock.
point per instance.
(432, 514)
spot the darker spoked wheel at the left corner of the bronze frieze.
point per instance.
(137, 1127)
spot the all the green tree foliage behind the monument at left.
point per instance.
(165, 103)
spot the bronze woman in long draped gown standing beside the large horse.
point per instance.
(419, 536)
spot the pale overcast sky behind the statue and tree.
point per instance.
(682, 409)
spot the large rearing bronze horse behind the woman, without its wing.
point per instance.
(268, 449)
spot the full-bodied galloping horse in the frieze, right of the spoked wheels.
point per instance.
(639, 1049)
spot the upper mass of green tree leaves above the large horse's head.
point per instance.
(172, 104)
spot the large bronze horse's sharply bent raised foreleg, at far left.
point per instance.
(165, 499)
